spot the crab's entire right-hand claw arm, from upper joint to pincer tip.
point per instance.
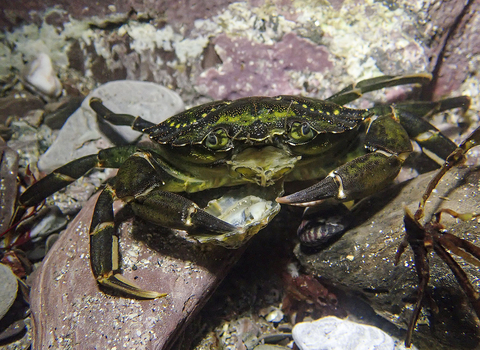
(389, 145)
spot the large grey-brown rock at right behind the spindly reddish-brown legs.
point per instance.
(362, 261)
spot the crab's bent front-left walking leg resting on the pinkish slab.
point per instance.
(104, 250)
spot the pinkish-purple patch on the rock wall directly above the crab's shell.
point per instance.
(250, 68)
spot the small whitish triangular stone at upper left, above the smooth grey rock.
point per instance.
(42, 77)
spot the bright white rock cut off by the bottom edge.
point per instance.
(332, 333)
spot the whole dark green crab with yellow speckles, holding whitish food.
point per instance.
(255, 144)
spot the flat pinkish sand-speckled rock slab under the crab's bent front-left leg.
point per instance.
(69, 309)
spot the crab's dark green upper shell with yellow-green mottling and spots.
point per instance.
(255, 119)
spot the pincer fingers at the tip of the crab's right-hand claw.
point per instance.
(313, 195)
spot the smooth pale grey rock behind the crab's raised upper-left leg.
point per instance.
(81, 134)
